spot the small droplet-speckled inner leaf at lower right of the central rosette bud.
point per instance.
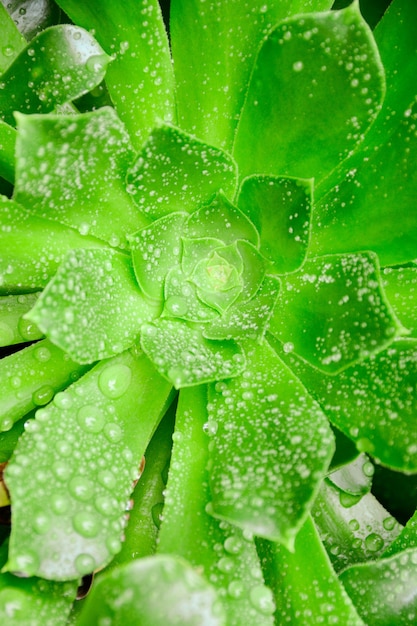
(246, 320)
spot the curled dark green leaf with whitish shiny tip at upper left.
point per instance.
(59, 65)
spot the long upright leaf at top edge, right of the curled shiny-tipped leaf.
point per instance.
(140, 77)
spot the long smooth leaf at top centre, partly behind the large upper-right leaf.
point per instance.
(213, 63)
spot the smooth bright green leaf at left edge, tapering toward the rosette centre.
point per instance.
(31, 247)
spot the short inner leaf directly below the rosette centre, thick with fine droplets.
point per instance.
(182, 355)
